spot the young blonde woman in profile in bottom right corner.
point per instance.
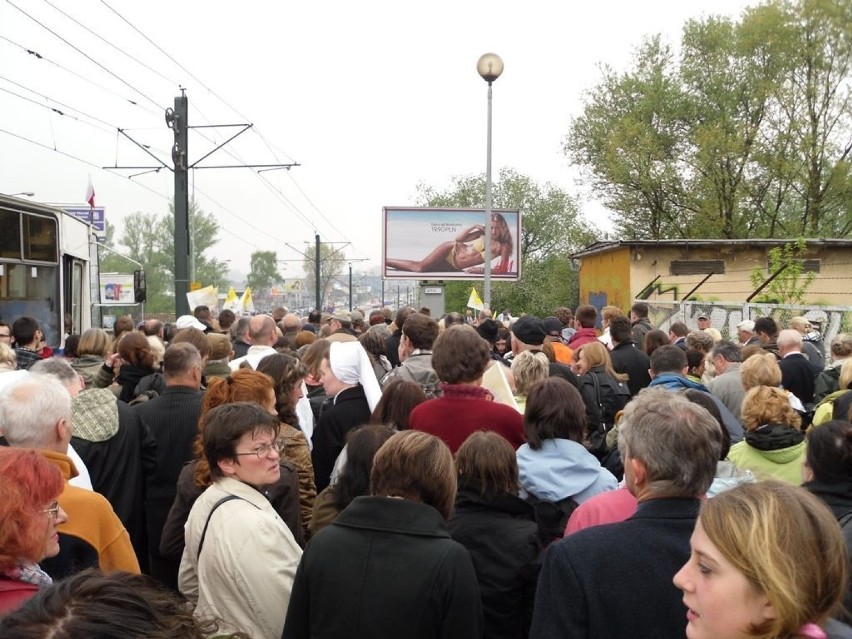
(768, 561)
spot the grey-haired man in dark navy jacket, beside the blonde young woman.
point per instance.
(615, 580)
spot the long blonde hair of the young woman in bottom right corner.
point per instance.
(787, 544)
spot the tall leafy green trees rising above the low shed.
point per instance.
(746, 133)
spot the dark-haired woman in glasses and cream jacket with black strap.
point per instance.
(240, 558)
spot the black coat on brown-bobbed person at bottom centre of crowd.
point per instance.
(385, 567)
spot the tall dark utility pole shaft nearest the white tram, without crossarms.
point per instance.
(180, 126)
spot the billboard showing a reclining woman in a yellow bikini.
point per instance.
(449, 244)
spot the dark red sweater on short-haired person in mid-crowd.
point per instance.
(463, 410)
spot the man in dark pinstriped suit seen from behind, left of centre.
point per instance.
(172, 419)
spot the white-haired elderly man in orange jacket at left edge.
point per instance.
(35, 412)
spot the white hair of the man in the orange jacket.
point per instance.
(31, 408)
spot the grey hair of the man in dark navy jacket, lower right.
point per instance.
(678, 441)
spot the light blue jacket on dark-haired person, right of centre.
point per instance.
(560, 468)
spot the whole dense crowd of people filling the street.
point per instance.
(586, 474)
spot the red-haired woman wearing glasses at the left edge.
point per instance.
(29, 514)
